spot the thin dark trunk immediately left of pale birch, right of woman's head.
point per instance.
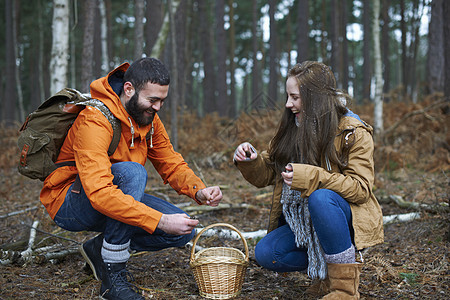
(366, 51)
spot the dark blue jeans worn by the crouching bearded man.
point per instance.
(77, 213)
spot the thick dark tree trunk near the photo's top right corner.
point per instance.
(436, 59)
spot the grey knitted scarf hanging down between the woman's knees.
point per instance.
(296, 213)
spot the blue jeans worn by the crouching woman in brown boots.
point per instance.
(331, 217)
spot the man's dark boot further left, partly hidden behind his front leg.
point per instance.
(91, 251)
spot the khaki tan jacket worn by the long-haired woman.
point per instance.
(354, 183)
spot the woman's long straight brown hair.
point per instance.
(321, 110)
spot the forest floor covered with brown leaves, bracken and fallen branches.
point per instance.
(412, 163)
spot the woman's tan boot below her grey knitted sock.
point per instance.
(344, 281)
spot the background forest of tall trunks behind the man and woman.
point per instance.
(225, 56)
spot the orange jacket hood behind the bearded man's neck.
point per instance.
(108, 90)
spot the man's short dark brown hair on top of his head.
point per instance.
(147, 69)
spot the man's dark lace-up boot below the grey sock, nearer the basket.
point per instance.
(115, 283)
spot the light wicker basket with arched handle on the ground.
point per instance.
(219, 271)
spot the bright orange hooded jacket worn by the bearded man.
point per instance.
(87, 143)
